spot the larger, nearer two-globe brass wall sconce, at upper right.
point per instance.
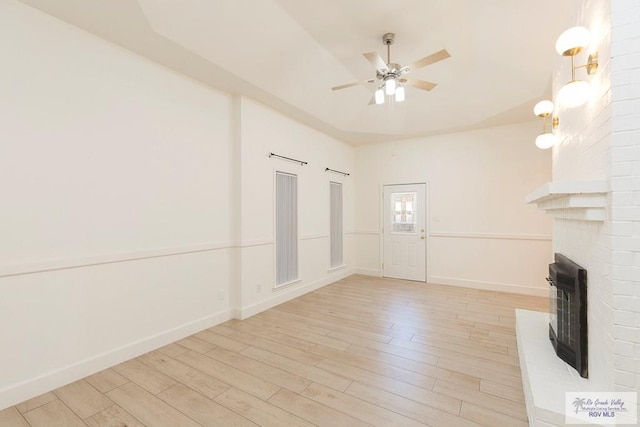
(570, 43)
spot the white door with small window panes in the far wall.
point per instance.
(404, 237)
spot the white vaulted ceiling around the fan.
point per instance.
(289, 53)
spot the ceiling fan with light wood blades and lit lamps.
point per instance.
(391, 77)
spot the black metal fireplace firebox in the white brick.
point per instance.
(568, 312)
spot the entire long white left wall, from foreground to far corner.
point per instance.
(137, 204)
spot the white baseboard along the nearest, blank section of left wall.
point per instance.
(33, 387)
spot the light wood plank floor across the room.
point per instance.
(362, 351)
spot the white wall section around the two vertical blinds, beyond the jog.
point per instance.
(264, 131)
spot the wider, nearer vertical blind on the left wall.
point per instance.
(286, 228)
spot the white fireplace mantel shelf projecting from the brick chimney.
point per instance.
(579, 200)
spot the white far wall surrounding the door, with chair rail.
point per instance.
(479, 232)
